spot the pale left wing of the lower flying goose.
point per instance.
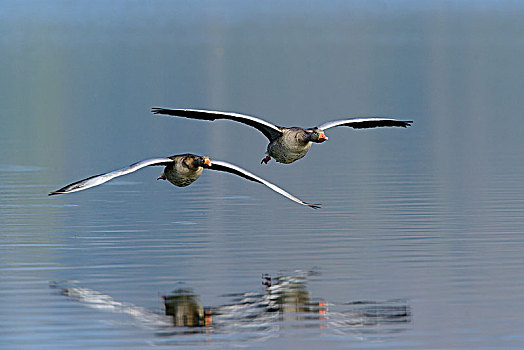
(100, 179)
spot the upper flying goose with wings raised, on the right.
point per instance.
(286, 145)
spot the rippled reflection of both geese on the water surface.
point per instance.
(284, 301)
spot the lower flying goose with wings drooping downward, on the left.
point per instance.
(181, 170)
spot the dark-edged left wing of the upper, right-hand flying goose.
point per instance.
(269, 130)
